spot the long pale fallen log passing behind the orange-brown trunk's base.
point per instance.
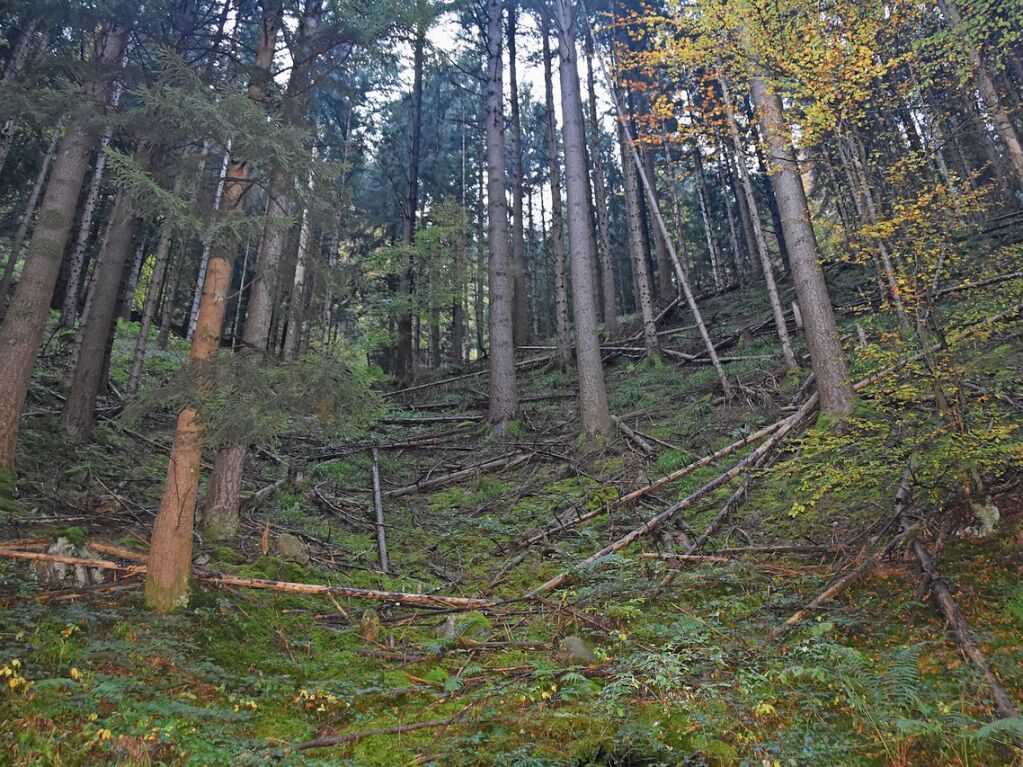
(220, 579)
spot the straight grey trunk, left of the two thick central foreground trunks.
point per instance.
(504, 392)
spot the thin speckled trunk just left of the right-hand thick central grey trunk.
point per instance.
(563, 353)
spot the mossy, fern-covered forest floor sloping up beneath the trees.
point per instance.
(635, 663)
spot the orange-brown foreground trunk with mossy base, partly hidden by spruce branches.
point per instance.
(170, 552)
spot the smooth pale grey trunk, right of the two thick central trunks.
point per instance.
(593, 394)
